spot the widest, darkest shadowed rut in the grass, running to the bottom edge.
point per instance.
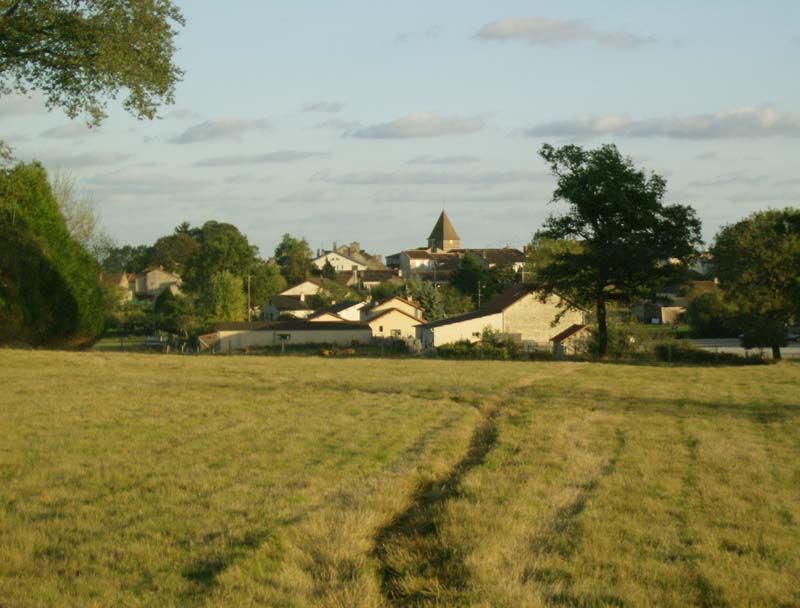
(413, 535)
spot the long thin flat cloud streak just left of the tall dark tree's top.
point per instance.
(372, 178)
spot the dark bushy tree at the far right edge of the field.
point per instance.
(757, 261)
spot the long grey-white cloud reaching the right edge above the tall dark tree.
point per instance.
(744, 122)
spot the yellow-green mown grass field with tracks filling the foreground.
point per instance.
(151, 480)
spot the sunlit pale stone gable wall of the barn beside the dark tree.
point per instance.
(534, 319)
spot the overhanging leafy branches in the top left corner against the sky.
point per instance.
(81, 52)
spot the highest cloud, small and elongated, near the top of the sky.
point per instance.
(546, 31)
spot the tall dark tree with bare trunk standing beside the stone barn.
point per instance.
(628, 238)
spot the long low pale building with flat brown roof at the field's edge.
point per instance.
(229, 337)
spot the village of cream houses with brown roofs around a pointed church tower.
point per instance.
(299, 315)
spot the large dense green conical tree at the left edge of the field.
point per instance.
(49, 289)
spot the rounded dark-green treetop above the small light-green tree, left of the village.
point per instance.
(221, 248)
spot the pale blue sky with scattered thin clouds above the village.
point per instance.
(347, 120)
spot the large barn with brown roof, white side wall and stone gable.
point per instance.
(517, 312)
